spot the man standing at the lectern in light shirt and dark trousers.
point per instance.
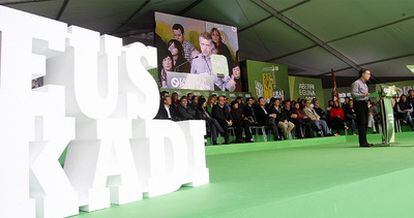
(360, 95)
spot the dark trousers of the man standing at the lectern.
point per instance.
(361, 110)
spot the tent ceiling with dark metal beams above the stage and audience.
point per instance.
(311, 36)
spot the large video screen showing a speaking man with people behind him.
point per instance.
(195, 54)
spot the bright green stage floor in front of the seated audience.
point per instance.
(322, 177)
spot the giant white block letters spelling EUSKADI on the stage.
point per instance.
(98, 101)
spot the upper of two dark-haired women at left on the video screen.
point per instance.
(180, 63)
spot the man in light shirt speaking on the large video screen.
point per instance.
(202, 64)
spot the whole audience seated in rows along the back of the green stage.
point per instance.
(305, 118)
